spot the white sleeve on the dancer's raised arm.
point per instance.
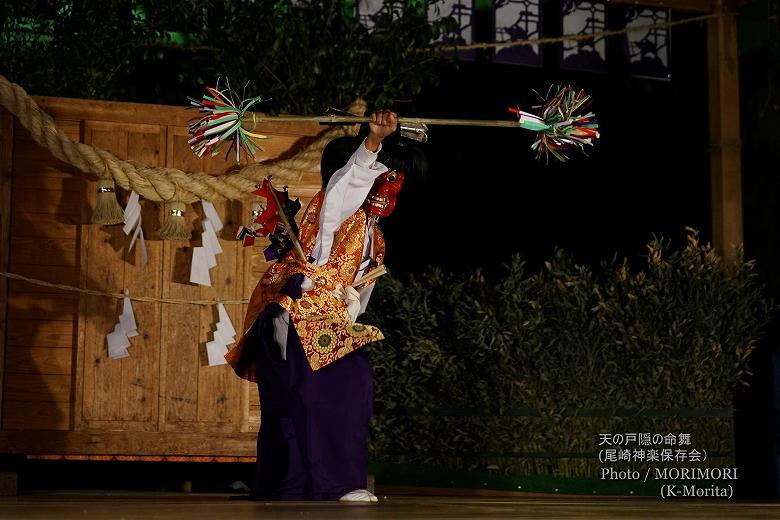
(345, 193)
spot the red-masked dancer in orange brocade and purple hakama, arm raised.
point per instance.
(302, 342)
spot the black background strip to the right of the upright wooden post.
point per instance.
(756, 417)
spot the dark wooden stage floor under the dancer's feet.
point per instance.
(180, 506)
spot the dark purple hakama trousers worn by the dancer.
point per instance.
(313, 425)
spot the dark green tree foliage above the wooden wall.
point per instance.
(305, 56)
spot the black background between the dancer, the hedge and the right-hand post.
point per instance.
(487, 197)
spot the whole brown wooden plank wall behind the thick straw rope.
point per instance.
(61, 394)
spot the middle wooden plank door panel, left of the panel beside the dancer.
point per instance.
(120, 394)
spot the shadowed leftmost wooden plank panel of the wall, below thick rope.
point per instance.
(45, 211)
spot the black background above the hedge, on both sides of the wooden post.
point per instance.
(487, 198)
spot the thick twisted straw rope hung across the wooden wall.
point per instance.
(158, 183)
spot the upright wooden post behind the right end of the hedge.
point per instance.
(725, 143)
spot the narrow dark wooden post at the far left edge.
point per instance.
(6, 169)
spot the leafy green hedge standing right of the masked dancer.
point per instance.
(531, 353)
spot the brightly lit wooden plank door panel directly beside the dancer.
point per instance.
(198, 397)
